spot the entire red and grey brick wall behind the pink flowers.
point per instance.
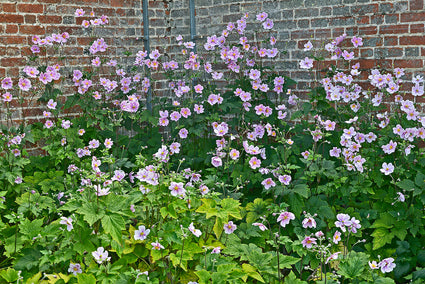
(393, 30)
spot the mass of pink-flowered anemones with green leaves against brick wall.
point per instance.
(247, 184)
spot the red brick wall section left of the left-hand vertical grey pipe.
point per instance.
(21, 19)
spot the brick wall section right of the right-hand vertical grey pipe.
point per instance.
(393, 30)
